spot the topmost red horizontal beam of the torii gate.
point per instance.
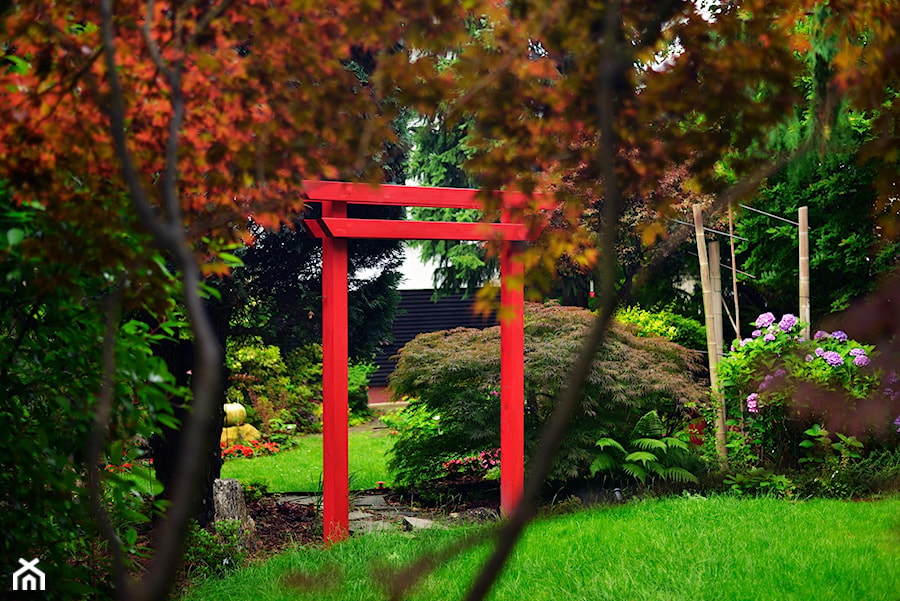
(413, 196)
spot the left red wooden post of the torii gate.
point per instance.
(335, 477)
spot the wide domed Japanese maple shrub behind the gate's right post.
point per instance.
(453, 378)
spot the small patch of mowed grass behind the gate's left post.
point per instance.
(300, 469)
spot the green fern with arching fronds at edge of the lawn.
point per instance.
(649, 453)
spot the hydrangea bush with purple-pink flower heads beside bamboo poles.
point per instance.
(776, 385)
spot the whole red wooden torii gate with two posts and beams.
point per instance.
(334, 228)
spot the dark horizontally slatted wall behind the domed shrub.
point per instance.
(418, 314)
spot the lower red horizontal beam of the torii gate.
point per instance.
(335, 227)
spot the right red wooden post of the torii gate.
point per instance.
(512, 377)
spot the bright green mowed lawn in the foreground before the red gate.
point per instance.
(689, 549)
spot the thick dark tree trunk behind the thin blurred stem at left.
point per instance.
(166, 447)
